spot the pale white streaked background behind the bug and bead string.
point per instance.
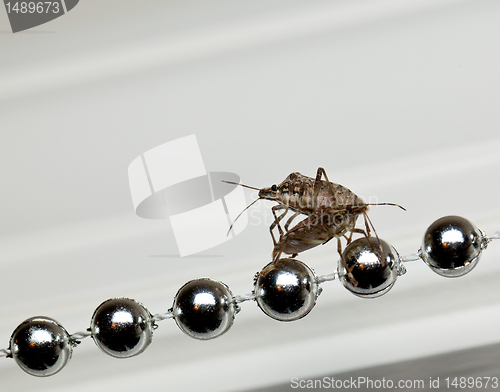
(397, 100)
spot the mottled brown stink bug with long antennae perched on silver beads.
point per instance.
(331, 212)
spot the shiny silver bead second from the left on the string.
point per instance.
(122, 327)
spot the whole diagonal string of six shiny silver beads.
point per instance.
(286, 290)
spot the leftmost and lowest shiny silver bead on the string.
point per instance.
(41, 346)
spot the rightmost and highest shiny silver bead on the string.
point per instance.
(452, 246)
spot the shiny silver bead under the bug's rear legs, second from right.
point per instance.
(372, 267)
